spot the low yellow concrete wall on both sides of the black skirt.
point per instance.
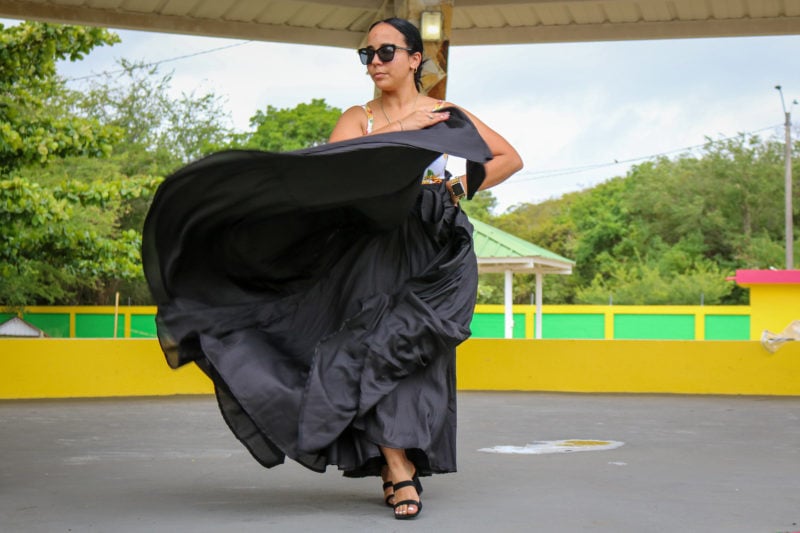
(61, 368)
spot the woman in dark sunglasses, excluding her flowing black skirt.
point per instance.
(393, 56)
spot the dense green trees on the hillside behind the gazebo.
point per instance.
(669, 232)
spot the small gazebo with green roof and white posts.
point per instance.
(501, 252)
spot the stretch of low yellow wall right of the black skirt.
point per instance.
(629, 366)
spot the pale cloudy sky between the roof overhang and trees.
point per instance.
(578, 113)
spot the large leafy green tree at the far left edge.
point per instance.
(63, 207)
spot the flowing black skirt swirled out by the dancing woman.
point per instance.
(324, 292)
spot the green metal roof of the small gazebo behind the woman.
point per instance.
(496, 250)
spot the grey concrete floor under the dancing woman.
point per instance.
(688, 464)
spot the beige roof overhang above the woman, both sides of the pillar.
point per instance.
(343, 23)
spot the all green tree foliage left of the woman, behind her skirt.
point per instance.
(78, 168)
